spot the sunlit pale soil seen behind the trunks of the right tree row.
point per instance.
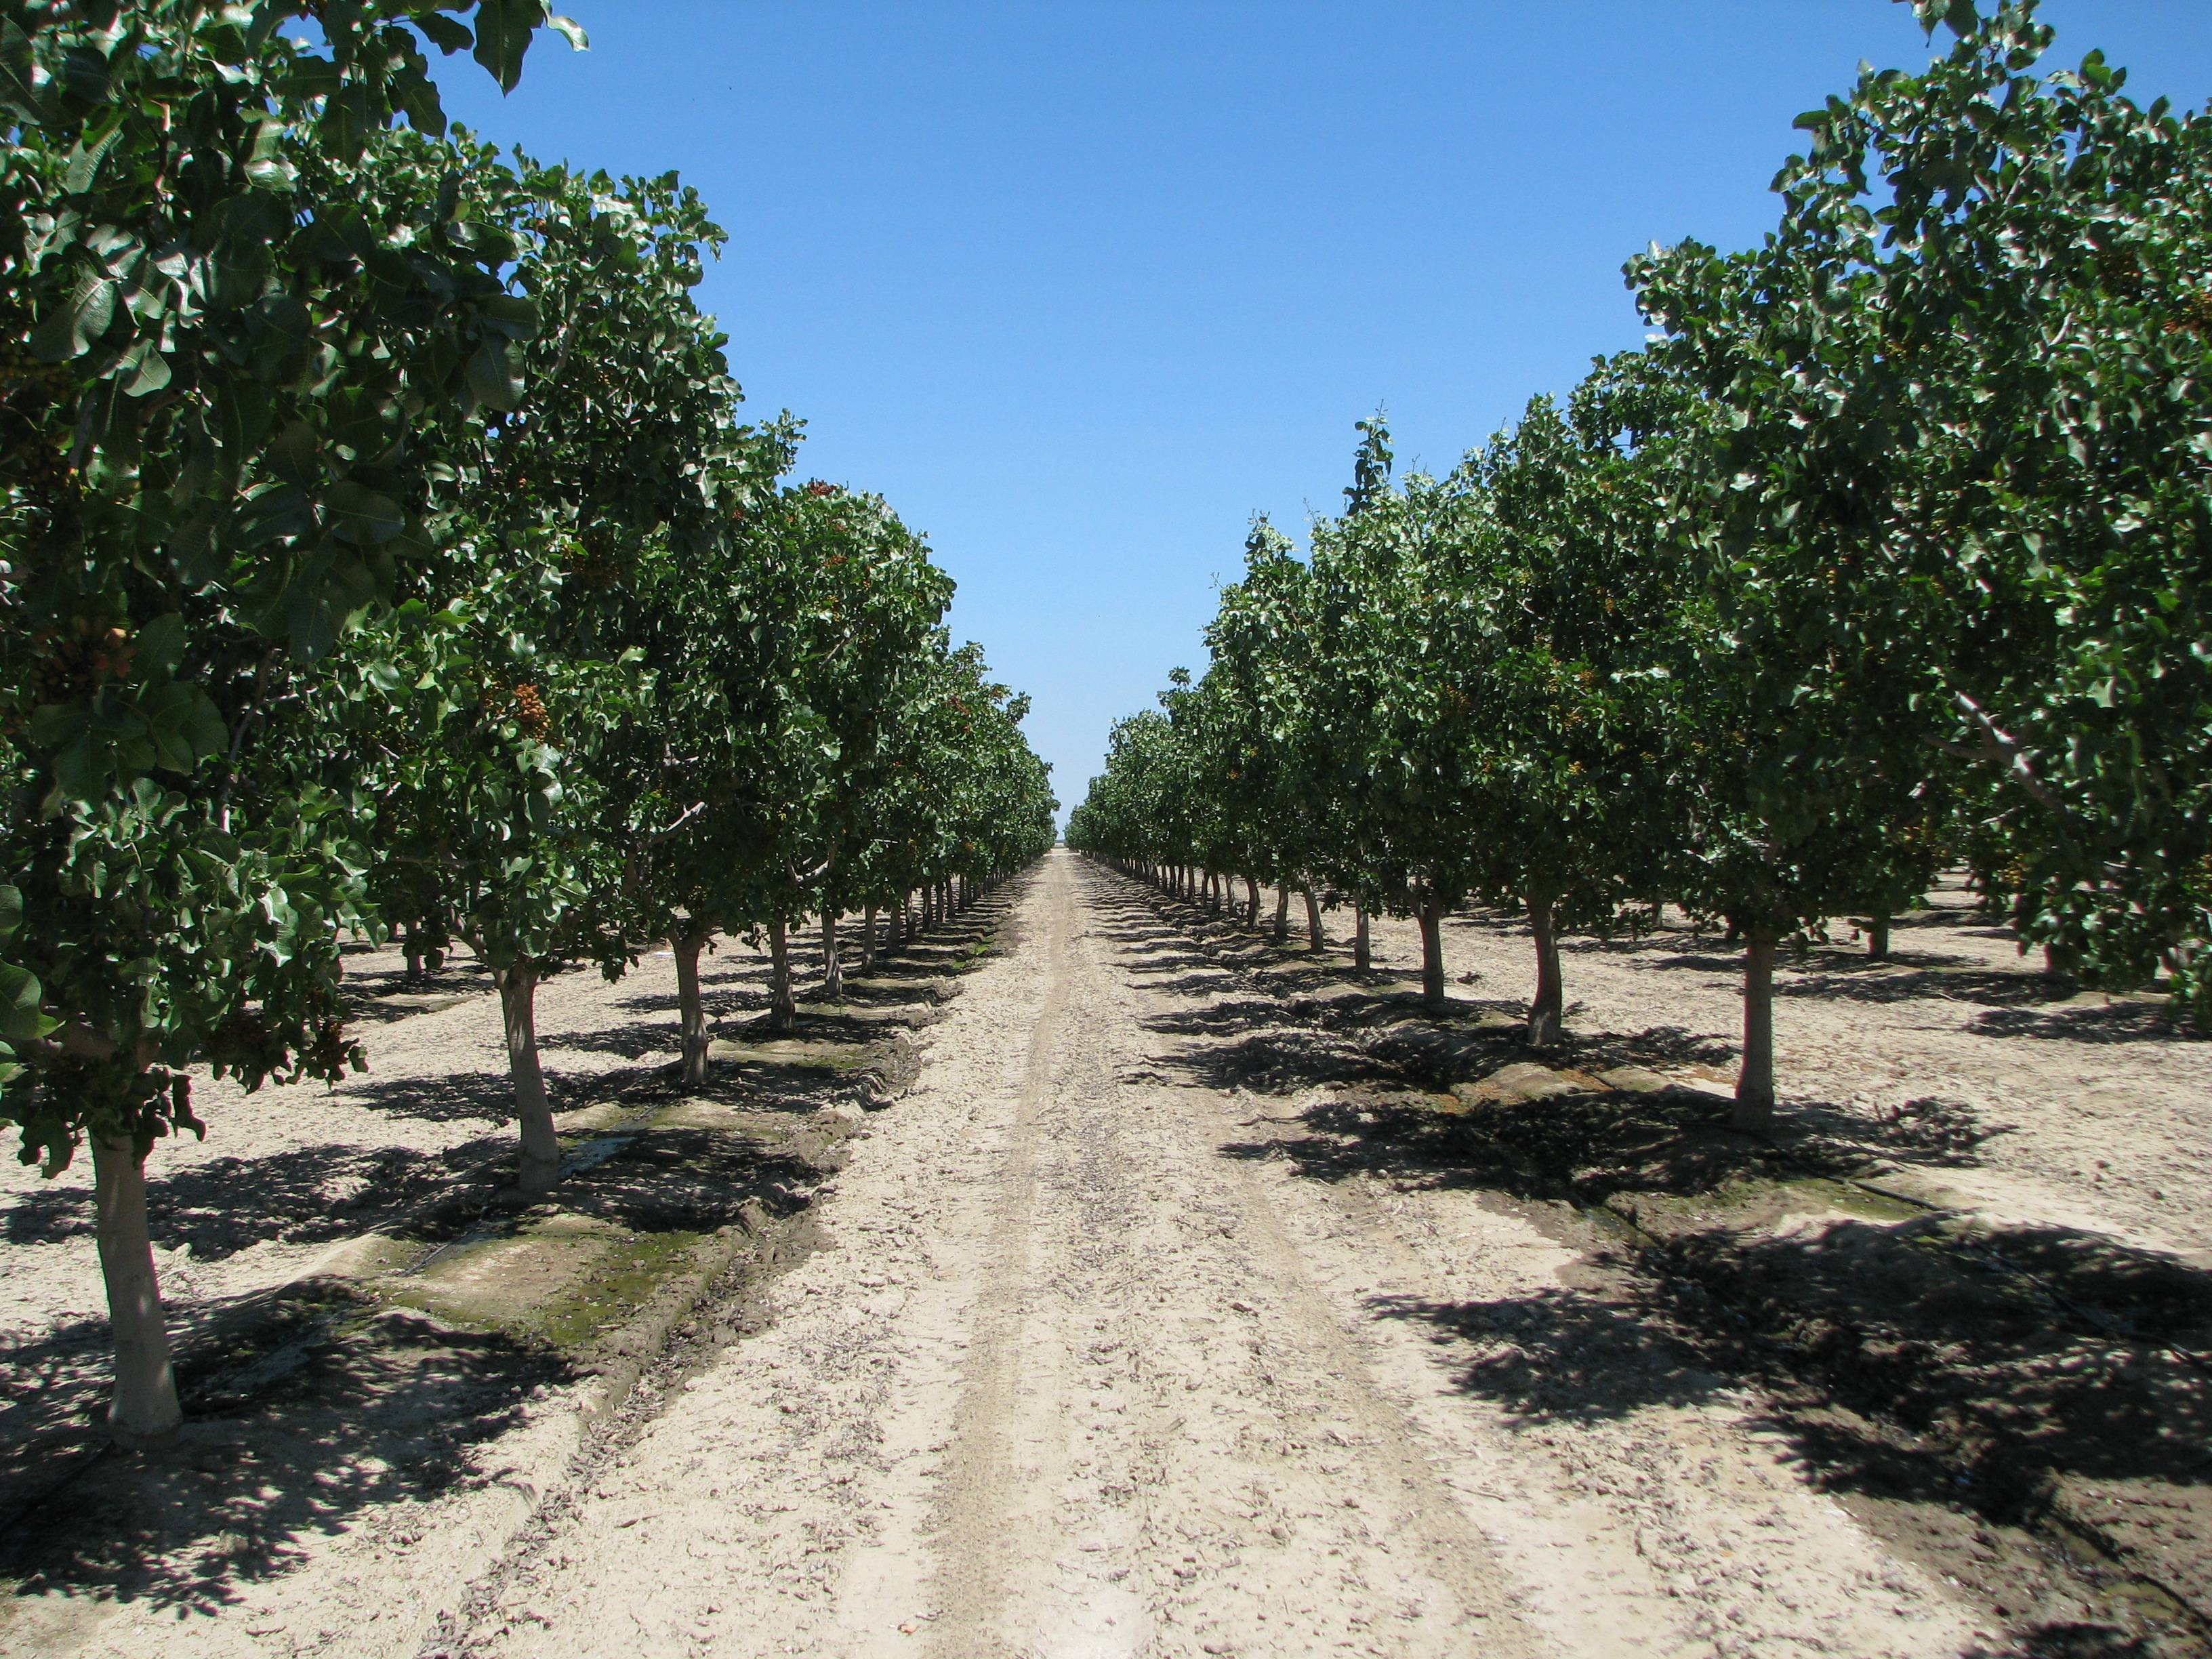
(2080, 1109)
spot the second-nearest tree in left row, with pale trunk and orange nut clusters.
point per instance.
(528, 651)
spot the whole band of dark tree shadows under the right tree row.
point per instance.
(1972, 1381)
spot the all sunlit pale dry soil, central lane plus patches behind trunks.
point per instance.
(1089, 1364)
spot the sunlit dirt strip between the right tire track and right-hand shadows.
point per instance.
(1658, 1514)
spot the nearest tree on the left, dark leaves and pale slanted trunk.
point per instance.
(227, 328)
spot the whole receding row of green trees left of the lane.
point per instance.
(384, 552)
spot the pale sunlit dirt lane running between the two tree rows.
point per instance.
(1081, 1375)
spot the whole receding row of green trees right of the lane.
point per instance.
(1892, 550)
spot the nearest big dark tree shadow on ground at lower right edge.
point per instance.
(2027, 1373)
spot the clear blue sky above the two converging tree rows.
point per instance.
(1083, 289)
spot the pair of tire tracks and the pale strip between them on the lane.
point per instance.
(1129, 1477)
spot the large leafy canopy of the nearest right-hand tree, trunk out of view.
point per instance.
(1959, 483)
